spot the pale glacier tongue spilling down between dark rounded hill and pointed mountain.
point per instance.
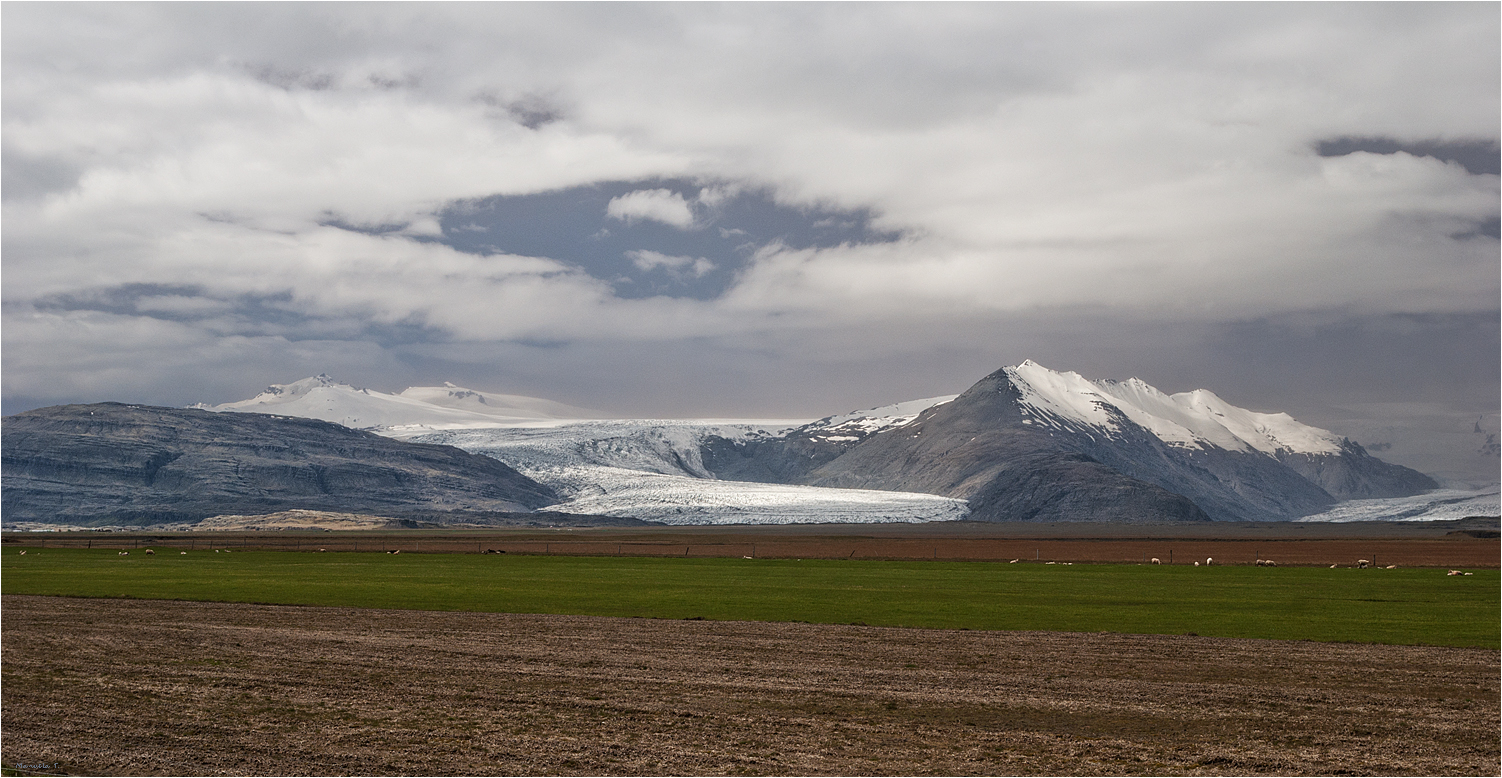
(653, 471)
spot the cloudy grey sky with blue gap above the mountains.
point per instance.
(761, 211)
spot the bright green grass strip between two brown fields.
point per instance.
(1365, 606)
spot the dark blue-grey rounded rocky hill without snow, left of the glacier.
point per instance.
(139, 465)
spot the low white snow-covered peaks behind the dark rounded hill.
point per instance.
(418, 408)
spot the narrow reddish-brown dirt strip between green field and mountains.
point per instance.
(1435, 544)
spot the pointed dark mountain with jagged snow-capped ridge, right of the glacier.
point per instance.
(1033, 444)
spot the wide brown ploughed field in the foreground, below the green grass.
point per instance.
(187, 689)
